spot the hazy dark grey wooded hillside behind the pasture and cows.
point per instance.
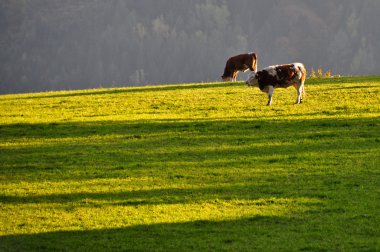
(76, 44)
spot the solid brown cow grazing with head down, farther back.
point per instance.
(241, 62)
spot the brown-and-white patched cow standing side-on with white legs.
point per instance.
(279, 76)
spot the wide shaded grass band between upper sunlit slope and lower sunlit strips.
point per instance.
(115, 148)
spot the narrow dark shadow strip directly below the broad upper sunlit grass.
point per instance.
(243, 127)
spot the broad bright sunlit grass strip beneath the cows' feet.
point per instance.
(192, 101)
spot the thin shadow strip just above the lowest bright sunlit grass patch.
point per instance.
(258, 194)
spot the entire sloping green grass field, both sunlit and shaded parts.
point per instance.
(196, 167)
